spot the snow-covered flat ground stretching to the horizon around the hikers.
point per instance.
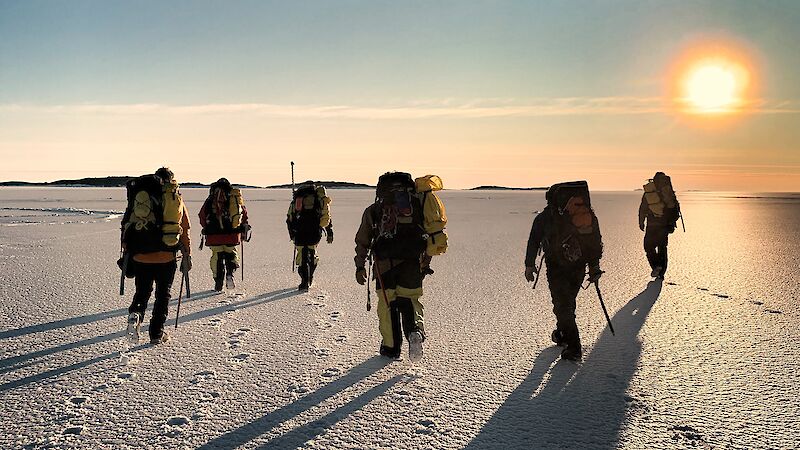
(707, 359)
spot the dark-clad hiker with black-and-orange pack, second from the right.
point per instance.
(568, 234)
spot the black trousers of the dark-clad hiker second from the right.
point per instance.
(565, 283)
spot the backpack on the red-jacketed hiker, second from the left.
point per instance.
(223, 209)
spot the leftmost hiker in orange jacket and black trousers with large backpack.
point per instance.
(155, 227)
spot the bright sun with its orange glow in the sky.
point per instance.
(713, 80)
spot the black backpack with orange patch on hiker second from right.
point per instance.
(574, 233)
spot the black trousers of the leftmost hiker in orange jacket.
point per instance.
(162, 275)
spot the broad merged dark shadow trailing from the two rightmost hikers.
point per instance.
(578, 406)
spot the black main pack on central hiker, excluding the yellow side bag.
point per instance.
(398, 218)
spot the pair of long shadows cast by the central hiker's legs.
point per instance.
(298, 436)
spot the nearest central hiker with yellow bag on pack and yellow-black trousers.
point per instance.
(399, 234)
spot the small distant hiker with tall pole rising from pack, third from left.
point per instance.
(309, 216)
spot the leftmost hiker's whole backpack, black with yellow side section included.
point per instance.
(152, 218)
